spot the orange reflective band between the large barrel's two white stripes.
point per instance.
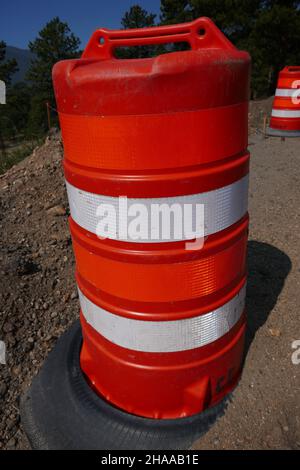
(163, 282)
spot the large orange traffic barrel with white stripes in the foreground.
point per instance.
(156, 167)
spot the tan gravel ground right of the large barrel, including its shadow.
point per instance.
(265, 410)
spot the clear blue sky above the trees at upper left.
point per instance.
(20, 20)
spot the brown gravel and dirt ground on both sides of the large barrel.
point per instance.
(38, 298)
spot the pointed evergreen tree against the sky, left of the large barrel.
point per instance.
(54, 42)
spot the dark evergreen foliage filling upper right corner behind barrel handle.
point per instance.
(268, 29)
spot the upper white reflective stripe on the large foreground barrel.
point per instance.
(222, 208)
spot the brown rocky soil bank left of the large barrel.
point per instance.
(38, 297)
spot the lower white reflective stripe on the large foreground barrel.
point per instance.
(164, 336)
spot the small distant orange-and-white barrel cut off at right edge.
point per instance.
(285, 118)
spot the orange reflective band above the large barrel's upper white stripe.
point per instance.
(157, 141)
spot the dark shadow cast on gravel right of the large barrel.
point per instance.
(268, 268)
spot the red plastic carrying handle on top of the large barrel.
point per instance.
(201, 33)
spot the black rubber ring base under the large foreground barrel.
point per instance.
(60, 411)
